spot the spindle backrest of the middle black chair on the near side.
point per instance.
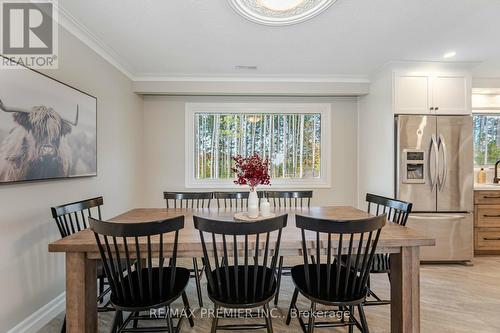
(242, 247)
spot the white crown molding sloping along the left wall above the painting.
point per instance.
(80, 31)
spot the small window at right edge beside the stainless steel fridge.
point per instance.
(486, 135)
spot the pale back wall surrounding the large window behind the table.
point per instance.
(164, 145)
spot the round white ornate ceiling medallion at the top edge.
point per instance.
(280, 12)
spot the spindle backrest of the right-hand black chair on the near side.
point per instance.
(354, 242)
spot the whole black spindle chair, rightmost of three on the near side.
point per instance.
(335, 282)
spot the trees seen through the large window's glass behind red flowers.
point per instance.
(291, 142)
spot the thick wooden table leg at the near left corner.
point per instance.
(81, 291)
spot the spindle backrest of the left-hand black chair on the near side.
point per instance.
(122, 245)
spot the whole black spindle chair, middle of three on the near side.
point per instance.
(240, 264)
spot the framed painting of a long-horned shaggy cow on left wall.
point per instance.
(47, 128)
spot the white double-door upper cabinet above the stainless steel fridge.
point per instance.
(432, 93)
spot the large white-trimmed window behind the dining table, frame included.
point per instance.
(292, 136)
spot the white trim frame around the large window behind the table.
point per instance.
(322, 108)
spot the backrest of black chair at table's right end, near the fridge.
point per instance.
(397, 211)
